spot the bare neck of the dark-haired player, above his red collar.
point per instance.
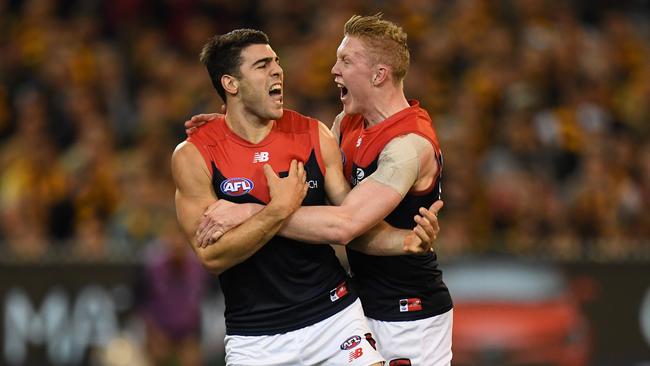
(247, 125)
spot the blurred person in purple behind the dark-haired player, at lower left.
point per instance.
(173, 284)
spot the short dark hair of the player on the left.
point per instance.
(222, 54)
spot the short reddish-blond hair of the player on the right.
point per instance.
(386, 41)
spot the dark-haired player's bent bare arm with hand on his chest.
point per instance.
(194, 194)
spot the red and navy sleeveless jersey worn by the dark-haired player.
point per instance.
(287, 284)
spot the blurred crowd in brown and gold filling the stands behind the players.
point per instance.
(542, 108)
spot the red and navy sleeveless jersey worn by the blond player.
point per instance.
(394, 288)
